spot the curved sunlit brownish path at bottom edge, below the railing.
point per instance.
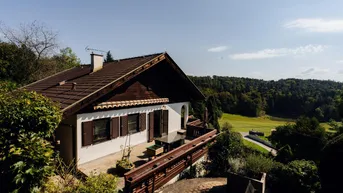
(196, 185)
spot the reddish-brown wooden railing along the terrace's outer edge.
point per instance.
(154, 174)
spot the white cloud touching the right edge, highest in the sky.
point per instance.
(316, 25)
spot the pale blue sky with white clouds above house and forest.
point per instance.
(265, 39)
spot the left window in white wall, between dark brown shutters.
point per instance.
(101, 130)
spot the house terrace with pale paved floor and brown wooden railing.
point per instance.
(146, 176)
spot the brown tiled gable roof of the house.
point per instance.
(91, 86)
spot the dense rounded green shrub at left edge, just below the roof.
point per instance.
(29, 112)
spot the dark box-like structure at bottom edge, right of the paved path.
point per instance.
(240, 184)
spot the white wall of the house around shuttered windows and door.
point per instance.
(92, 152)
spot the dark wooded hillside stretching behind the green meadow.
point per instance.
(287, 98)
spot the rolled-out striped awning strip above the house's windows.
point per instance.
(116, 104)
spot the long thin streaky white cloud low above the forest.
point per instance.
(278, 52)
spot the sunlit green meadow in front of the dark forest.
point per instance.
(264, 124)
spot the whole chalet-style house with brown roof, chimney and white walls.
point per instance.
(109, 105)
